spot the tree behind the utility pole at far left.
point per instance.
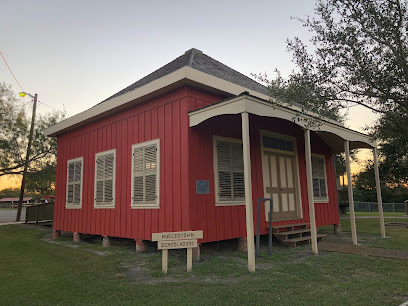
(14, 130)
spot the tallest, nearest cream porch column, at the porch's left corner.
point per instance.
(248, 191)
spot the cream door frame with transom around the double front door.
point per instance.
(298, 203)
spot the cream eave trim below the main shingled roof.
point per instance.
(135, 96)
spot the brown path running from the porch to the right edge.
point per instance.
(363, 250)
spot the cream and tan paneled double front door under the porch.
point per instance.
(279, 179)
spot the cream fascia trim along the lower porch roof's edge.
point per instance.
(253, 105)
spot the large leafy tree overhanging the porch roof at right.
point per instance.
(359, 57)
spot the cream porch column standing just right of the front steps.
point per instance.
(308, 155)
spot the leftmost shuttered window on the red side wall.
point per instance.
(74, 183)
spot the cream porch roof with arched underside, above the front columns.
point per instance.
(332, 132)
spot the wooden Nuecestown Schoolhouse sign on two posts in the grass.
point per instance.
(177, 240)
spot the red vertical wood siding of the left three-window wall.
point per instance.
(165, 118)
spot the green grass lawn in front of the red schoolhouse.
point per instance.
(34, 271)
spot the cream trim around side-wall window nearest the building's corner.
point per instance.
(157, 204)
